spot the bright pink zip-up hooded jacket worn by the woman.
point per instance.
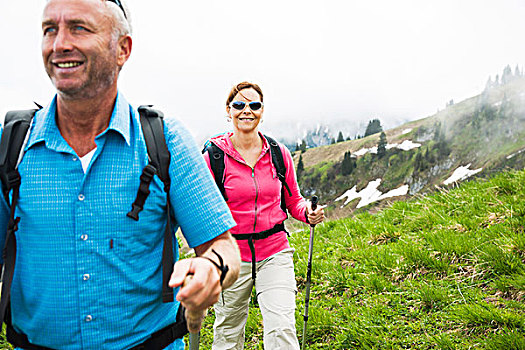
(254, 197)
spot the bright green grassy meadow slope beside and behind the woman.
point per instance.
(445, 271)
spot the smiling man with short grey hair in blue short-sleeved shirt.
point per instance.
(86, 275)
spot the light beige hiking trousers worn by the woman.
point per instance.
(276, 290)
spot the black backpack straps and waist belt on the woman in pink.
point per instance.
(217, 167)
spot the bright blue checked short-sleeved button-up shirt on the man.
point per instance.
(87, 276)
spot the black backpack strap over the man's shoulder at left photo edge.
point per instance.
(14, 136)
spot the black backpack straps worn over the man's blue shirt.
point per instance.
(16, 126)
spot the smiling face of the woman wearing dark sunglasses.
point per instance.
(248, 118)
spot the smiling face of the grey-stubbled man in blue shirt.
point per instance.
(78, 47)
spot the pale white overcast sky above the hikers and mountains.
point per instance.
(315, 60)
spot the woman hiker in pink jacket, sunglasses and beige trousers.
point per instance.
(253, 193)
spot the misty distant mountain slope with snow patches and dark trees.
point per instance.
(480, 135)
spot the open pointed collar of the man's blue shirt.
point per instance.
(45, 128)
